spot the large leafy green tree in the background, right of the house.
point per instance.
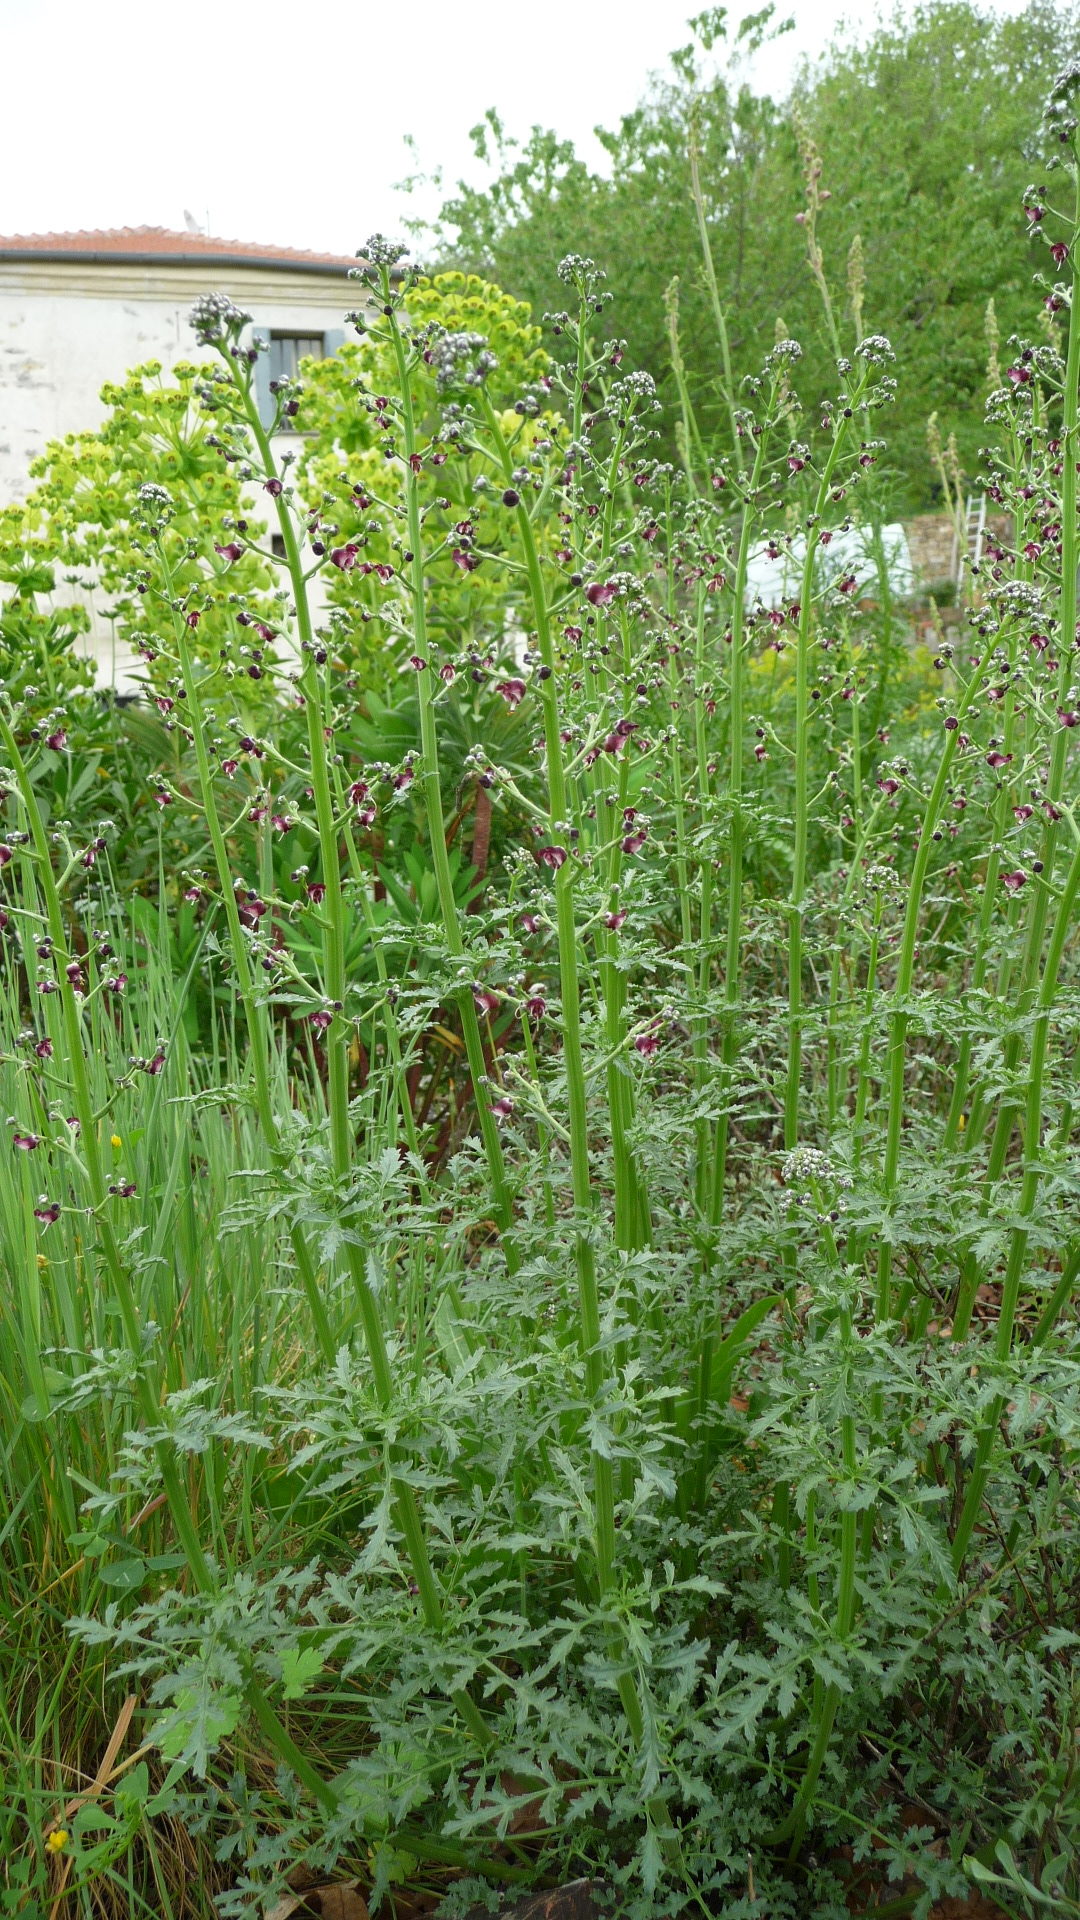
(923, 137)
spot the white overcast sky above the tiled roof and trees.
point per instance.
(287, 122)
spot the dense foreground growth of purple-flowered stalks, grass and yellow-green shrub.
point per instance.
(539, 1239)
